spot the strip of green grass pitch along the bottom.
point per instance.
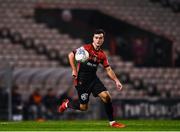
(93, 125)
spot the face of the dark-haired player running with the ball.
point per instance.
(98, 39)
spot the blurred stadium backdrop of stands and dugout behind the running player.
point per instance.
(142, 43)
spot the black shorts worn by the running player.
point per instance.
(85, 88)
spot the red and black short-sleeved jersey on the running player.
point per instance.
(96, 57)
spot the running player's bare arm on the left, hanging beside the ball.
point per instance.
(71, 57)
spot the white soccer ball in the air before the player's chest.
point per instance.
(81, 55)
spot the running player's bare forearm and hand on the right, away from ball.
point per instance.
(113, 76)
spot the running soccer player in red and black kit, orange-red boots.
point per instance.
(87, 82)
